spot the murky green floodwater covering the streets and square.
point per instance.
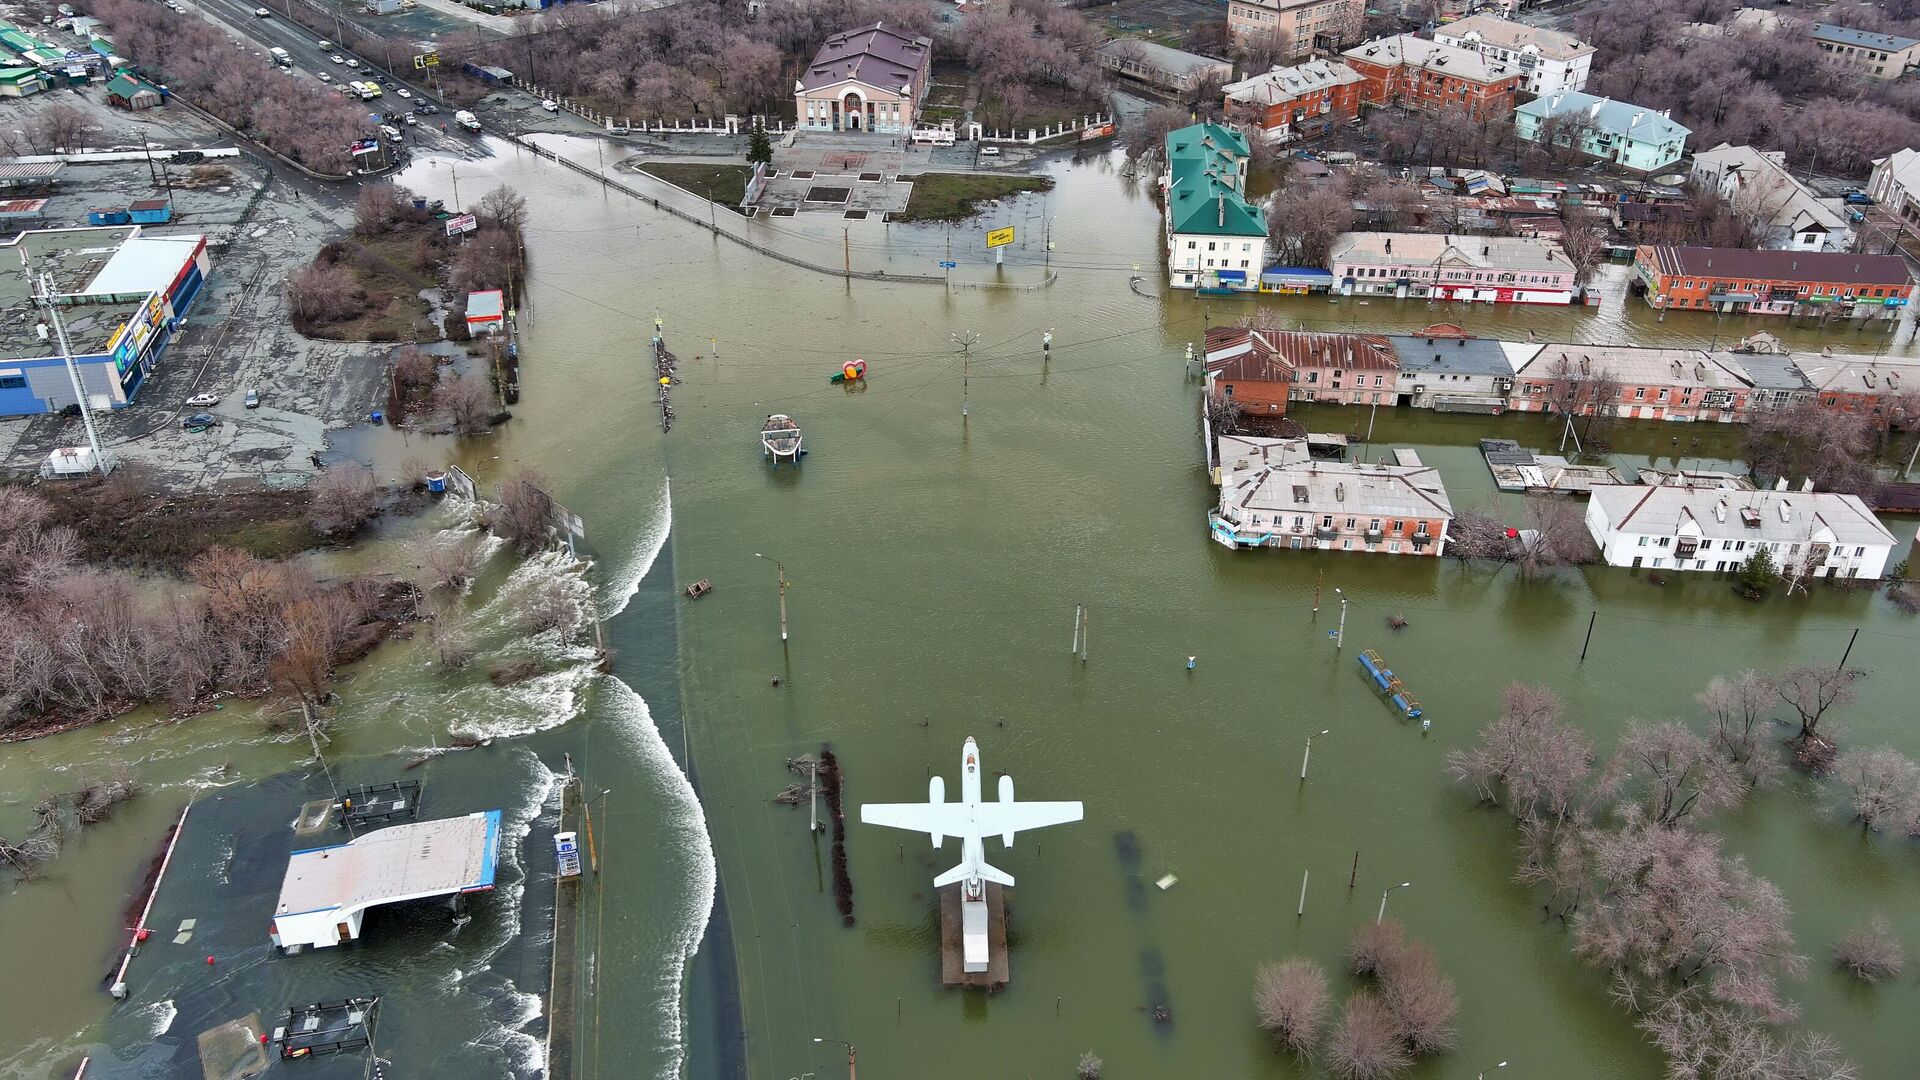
(936, 562)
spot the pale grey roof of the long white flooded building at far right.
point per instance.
(1821, 518)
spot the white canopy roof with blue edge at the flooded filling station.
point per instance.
(389, 866)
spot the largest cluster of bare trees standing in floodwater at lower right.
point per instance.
(1694, 943)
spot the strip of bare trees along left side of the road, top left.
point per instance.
(297, 118)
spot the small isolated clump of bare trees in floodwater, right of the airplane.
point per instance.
(1406, 1010)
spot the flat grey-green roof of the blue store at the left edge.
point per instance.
(76, 258)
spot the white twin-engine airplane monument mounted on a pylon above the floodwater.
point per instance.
(972, 822)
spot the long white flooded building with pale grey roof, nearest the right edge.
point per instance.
(1812, 535)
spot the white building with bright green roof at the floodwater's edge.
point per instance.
(1216, 239)
